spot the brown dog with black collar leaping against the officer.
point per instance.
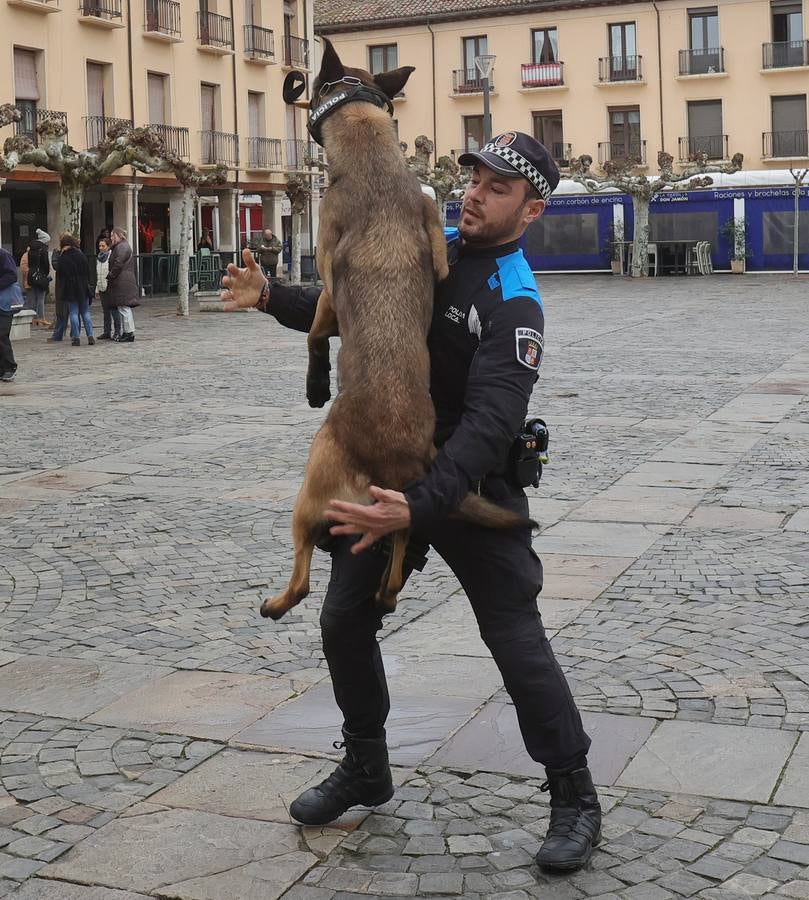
(380, 248)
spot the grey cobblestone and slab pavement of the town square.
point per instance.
(153, 728)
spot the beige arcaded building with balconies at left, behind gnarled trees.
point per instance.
(206, 73)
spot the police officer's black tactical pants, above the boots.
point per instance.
(501, 576)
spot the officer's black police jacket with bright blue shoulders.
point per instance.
(486, 343)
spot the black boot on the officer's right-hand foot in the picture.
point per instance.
(575, 828)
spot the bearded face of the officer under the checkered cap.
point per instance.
(496, 209)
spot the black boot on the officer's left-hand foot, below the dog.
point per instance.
(362, 779)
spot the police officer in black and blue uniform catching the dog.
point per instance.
(486, 343)
